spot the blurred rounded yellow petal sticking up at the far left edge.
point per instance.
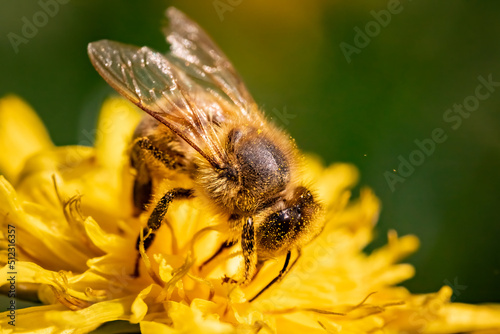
(22, 133)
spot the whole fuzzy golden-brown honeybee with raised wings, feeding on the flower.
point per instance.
(204, 123)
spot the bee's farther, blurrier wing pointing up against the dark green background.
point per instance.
(194, 52)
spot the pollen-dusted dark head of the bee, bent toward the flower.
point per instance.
(290, 224)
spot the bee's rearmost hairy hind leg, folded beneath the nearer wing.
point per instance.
(143, 185)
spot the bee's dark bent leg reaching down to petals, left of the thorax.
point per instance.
(156, 218)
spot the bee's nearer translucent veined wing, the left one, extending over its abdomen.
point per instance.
(152, 82)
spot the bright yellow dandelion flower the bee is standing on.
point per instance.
(69, 236)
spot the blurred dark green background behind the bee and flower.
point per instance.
(368, 111)
